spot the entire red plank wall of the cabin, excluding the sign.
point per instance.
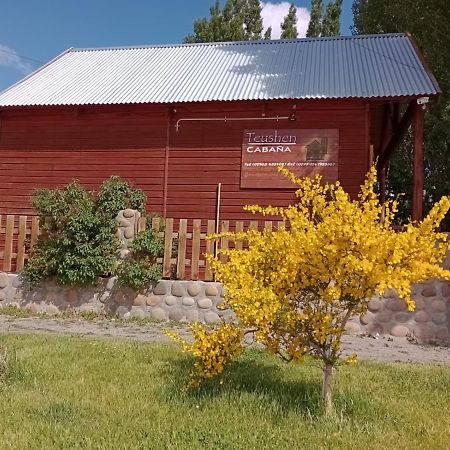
(179, 171)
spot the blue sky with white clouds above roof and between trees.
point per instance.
(34, 31)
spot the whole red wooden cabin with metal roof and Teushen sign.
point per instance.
(177, 120)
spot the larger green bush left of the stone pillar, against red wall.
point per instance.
(78, 243)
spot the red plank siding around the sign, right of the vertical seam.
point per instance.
(203, 154)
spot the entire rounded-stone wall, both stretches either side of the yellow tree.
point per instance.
(199, 301)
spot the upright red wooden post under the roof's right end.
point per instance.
(418, 163)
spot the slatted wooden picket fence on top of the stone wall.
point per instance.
(185, 243)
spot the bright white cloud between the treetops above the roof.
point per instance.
(274, 13)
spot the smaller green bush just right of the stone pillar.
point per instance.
(141, 268)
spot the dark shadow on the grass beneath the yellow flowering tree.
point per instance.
(269, 387)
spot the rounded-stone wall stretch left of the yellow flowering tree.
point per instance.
(187, 301)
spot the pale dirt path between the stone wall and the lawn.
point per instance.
(382, 349)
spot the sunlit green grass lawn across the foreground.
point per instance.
(71, 393)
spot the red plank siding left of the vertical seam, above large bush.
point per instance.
(49, 147)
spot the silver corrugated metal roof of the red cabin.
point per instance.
(341, 67)
